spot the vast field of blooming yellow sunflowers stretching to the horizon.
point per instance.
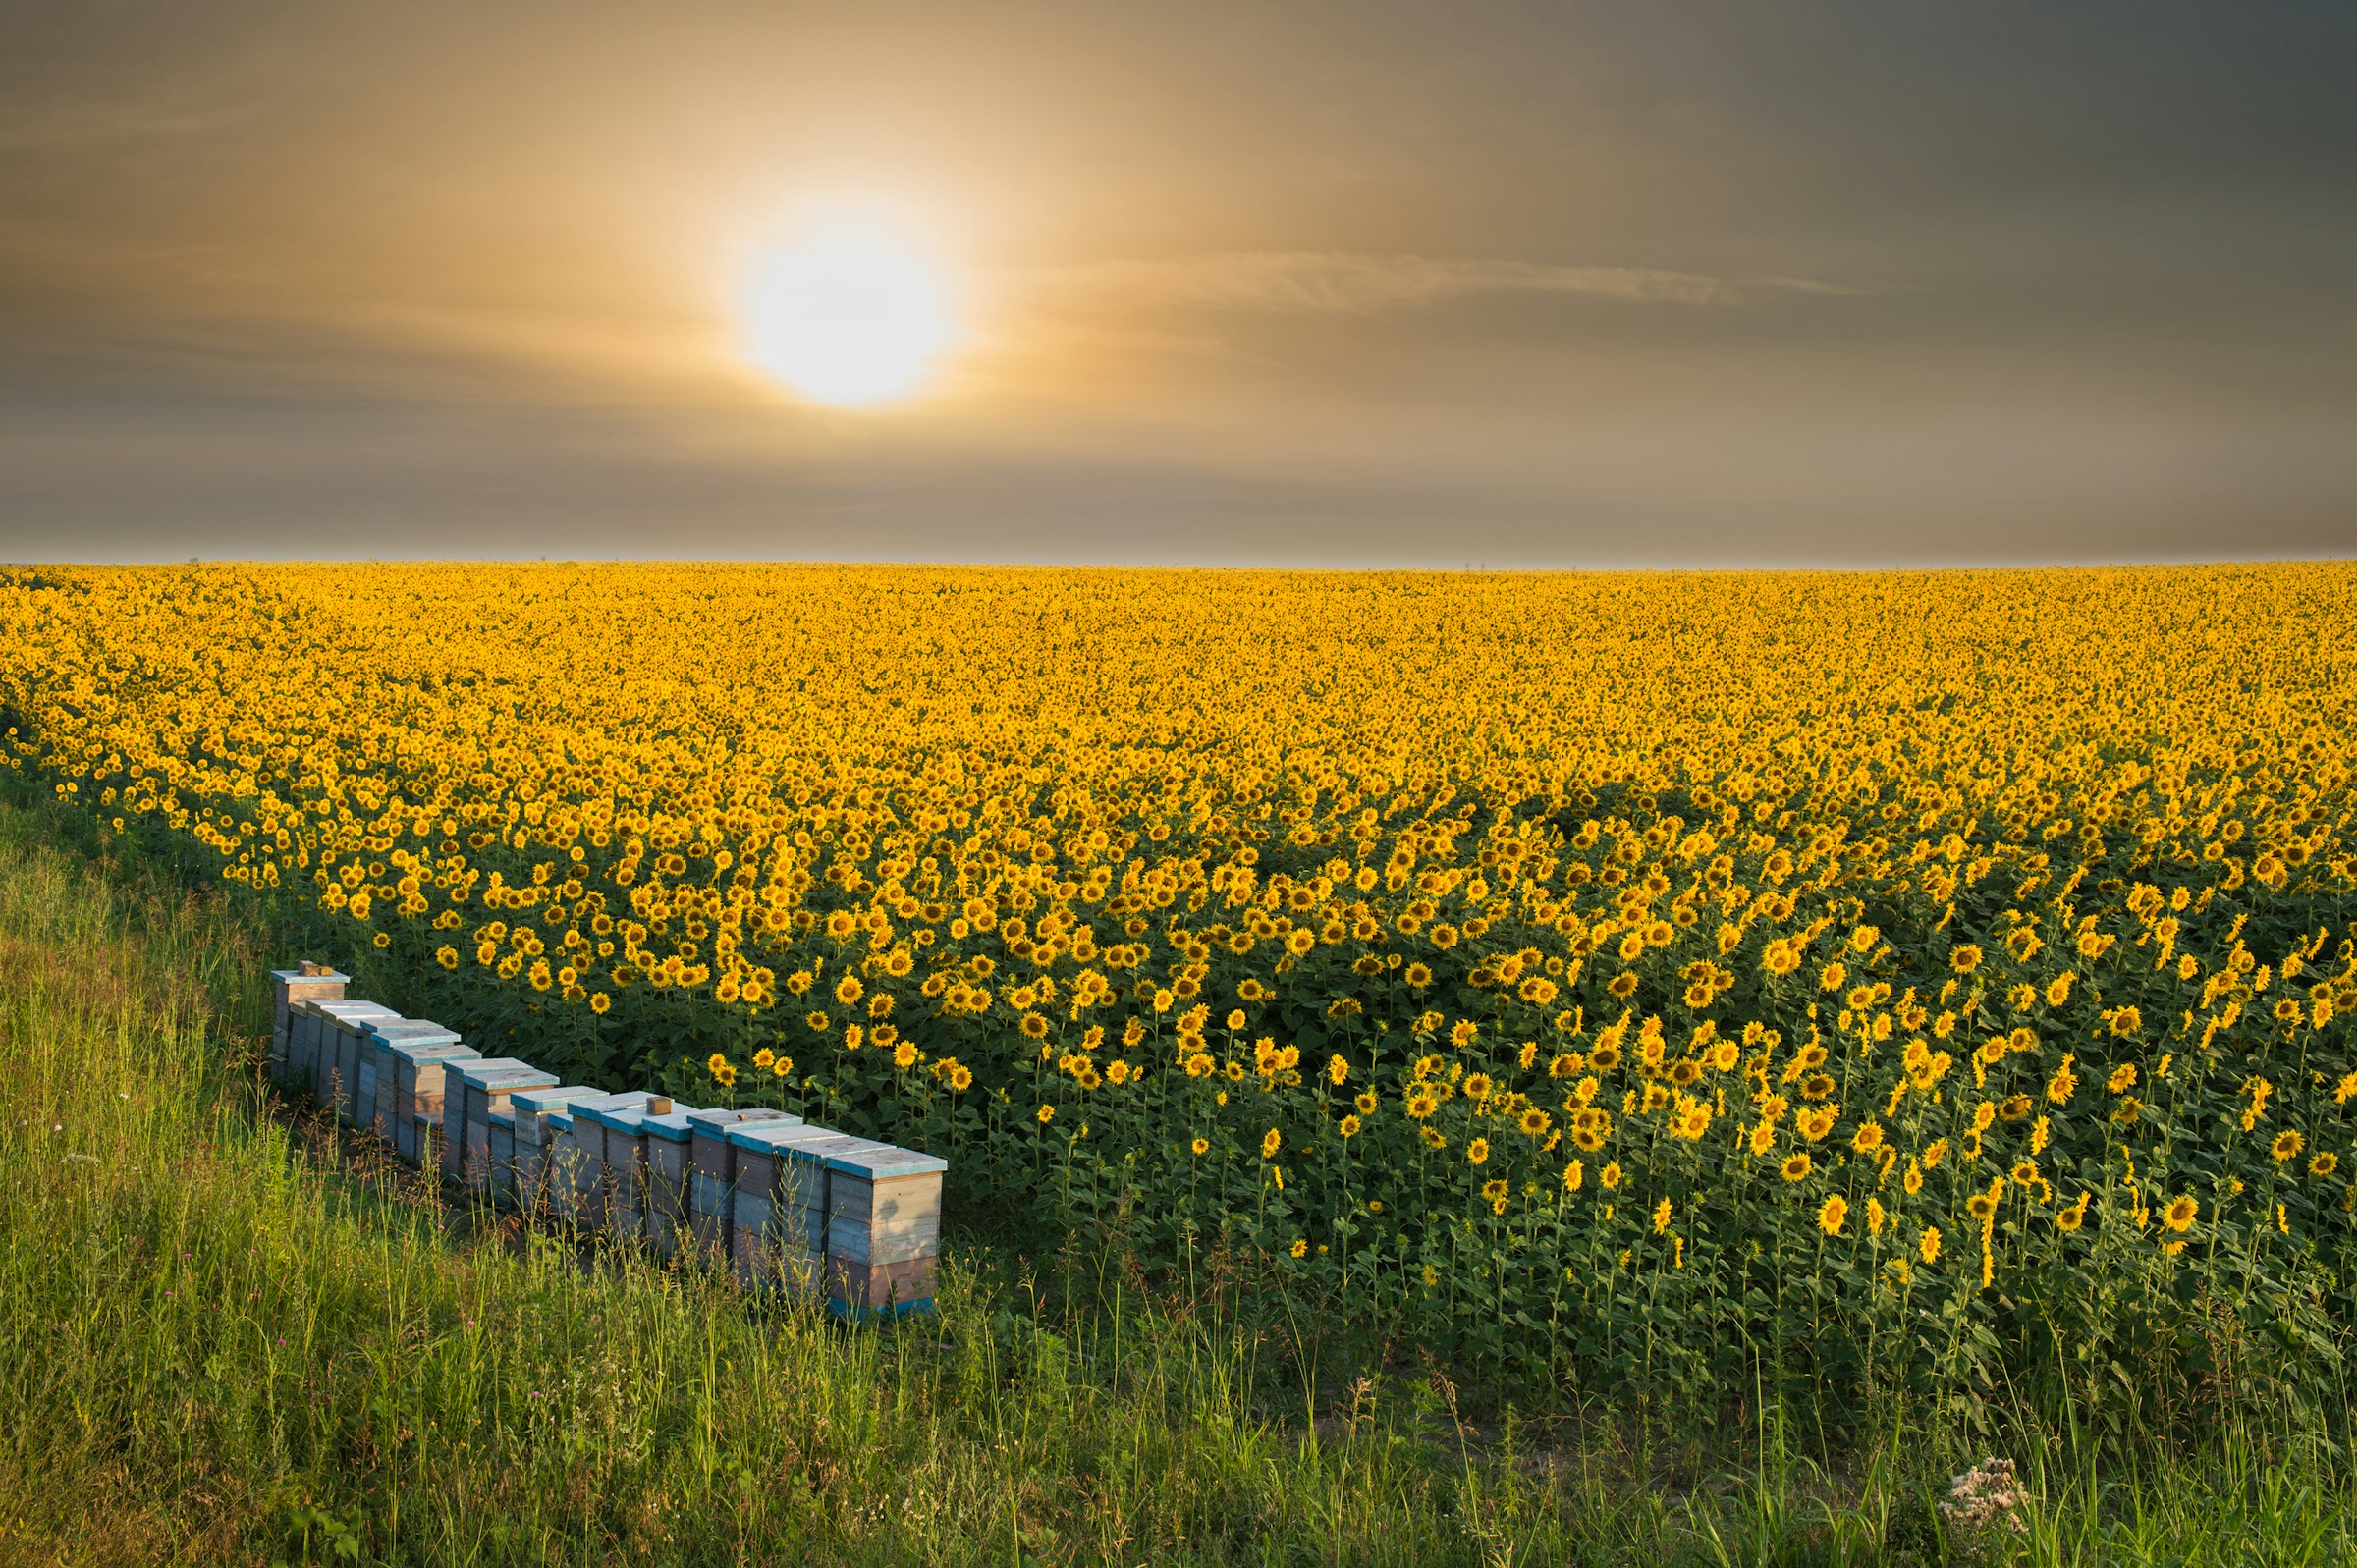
(1620, 977)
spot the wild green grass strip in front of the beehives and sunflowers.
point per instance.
(227, 1336)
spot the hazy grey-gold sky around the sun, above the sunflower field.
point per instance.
(1288, 284)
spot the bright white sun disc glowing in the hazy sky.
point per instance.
(850, 308)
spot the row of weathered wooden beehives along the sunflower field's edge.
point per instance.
(781, 1201)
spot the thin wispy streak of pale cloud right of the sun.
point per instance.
(1359, 284)
